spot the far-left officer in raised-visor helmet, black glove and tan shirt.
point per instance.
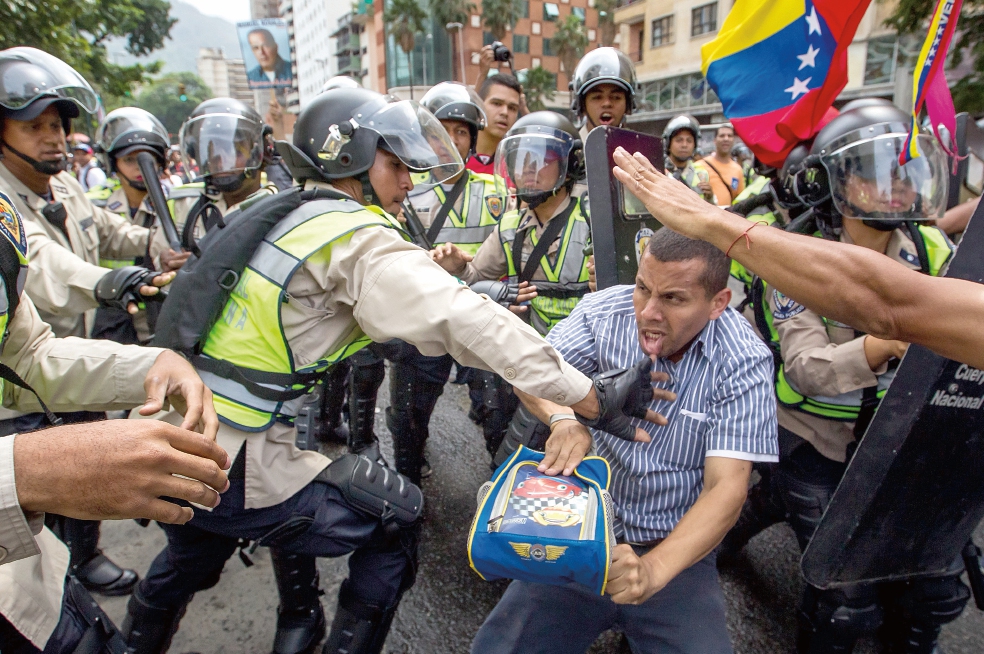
(66, 236)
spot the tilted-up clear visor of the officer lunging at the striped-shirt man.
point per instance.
(416, 137)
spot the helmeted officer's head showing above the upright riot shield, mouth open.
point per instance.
(603, 89)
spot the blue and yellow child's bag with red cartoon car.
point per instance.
(544, 529)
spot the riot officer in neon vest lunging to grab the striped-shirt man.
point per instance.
(333, 274)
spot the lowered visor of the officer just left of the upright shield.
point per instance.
(532, 163)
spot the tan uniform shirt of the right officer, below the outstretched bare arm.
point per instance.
(826, 359)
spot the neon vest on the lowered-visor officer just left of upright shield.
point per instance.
(565, 279)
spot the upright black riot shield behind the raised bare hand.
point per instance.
(620, 223)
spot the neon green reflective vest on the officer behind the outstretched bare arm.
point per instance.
(846, 406)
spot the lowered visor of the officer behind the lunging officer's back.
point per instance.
(222, 144)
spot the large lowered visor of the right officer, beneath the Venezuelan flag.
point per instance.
(866, 180)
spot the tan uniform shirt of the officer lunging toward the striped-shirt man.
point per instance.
(391, 289)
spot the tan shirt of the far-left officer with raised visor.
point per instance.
(62, 285)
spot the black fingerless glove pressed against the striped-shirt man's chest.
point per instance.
(621, 393)
